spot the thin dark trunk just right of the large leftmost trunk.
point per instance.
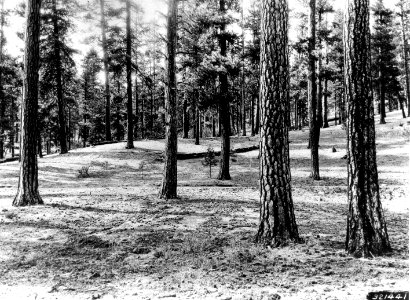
(59, 84)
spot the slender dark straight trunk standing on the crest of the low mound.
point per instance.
(130, 125)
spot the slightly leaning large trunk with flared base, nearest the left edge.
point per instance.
(27, 192)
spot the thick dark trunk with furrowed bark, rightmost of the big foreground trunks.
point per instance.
(366, 228)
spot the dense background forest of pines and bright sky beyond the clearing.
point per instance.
(83, 91)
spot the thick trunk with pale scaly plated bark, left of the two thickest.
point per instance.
(277, 220)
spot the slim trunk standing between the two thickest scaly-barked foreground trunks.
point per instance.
(314, 128)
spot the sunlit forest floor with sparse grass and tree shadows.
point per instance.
(108, 236)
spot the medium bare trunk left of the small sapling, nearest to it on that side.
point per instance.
(169, 181)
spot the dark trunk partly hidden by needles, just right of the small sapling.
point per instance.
(224, 107)
